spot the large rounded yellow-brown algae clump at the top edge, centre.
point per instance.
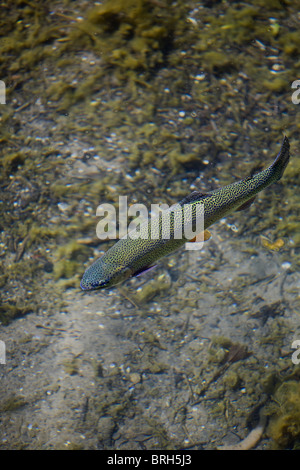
(140, 32)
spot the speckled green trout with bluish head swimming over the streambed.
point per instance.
(131, 257)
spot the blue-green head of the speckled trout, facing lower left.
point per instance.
(102, 274)
